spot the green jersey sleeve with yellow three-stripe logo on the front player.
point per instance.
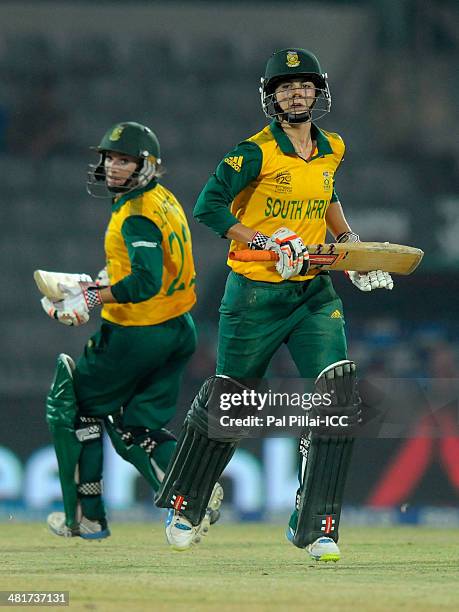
(239, 167)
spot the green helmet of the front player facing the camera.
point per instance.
(294, 64)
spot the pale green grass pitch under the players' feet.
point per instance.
(237, 567)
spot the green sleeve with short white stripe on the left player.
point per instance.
(143, 241)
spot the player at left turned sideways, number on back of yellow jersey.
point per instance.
(129, 375)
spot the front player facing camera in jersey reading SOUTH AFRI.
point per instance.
(276, 191)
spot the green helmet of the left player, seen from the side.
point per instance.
(128, 138)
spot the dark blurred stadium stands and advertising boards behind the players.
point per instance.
(190, 71)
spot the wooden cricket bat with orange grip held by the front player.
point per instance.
(360, 256)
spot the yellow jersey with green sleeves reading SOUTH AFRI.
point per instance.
(265, 185)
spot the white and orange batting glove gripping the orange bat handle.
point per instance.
(293, 255)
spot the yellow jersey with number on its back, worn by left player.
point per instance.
(149, 258)
